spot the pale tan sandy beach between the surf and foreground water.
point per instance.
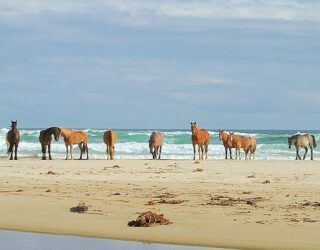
(230, 204)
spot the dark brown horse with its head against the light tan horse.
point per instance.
(45, 138)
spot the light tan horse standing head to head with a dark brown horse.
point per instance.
(72, 137)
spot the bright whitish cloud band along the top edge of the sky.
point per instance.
(141, 12)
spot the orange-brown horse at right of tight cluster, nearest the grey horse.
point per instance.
(247, 143)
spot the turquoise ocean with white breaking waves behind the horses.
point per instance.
(133, 144)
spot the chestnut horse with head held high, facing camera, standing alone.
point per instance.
(201, 138)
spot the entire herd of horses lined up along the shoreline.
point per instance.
(200, 138)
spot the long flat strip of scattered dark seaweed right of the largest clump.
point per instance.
(219, 200)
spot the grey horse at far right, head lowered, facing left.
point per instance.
(302, 141)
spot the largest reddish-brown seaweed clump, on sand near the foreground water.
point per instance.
(147, 219)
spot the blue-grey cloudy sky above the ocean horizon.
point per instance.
(239, 64)
